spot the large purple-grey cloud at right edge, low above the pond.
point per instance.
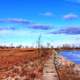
(69, 30)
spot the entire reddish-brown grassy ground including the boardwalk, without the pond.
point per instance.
(35, 64)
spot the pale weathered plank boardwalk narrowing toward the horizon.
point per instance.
(49, 71)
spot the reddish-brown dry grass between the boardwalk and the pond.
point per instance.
(68, 71)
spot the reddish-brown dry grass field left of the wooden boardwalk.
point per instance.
(21, 63)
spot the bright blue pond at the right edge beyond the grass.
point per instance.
(72, 55)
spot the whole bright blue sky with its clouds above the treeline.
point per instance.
(22, 21)
